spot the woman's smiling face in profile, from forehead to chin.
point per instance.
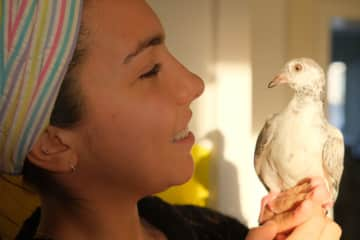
(136, 97)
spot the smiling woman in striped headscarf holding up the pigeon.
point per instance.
(118, 130)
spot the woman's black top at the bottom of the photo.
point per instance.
(183, 222)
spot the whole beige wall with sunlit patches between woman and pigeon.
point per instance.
(237, 46)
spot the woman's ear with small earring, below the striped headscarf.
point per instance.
(53, 152)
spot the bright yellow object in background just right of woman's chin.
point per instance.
(196, 190)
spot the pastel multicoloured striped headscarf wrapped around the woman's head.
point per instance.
(37, 40)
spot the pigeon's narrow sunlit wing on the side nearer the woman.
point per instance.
(262, 143)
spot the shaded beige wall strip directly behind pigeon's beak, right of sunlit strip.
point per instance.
(269, 45)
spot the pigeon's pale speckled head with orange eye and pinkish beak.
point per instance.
(301, 74)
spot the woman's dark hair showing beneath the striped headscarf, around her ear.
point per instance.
(67, 113)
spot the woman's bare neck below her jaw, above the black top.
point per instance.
(97, 219)
